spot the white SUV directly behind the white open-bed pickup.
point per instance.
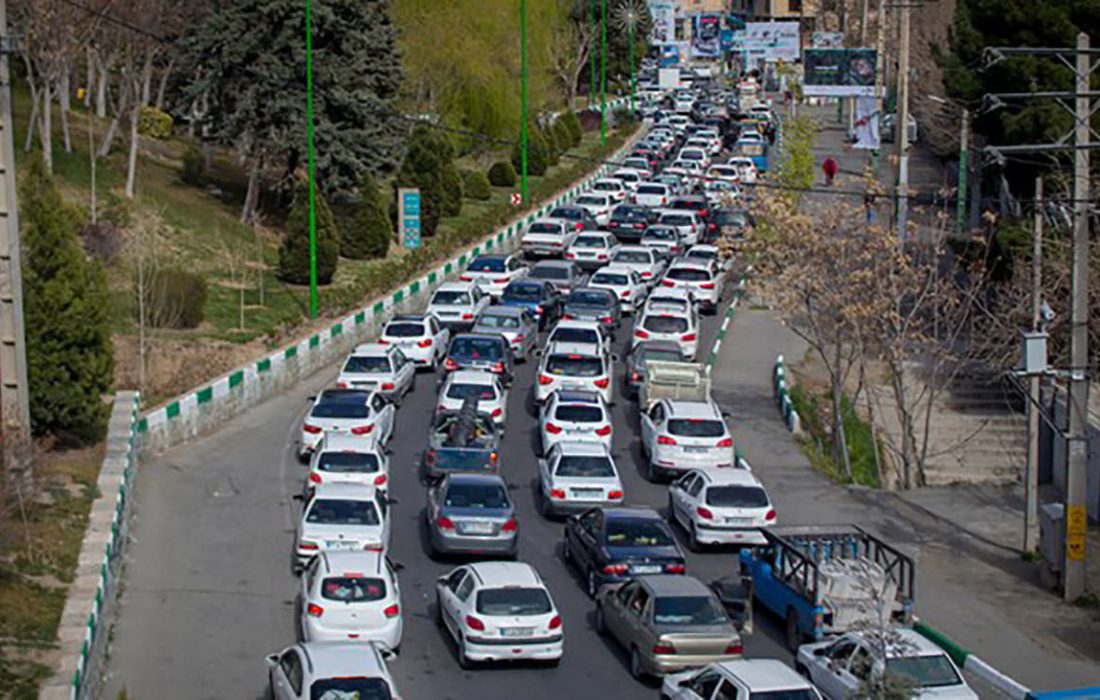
(681, 435)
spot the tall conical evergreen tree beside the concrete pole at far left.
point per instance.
(70, 355)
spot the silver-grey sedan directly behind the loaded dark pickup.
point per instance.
(472, 515)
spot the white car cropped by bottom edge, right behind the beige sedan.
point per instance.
(742, 680)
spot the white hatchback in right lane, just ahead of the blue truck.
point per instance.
(721, 507)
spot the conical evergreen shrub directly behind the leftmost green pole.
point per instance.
(294, 254)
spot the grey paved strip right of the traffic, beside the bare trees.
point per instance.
(977, 593)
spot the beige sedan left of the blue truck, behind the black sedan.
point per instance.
(667, 625)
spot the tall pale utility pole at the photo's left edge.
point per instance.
(15, 404)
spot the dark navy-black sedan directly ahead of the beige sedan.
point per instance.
(612, 545)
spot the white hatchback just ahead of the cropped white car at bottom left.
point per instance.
(351, 597)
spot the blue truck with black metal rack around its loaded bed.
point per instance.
(827, 581)
